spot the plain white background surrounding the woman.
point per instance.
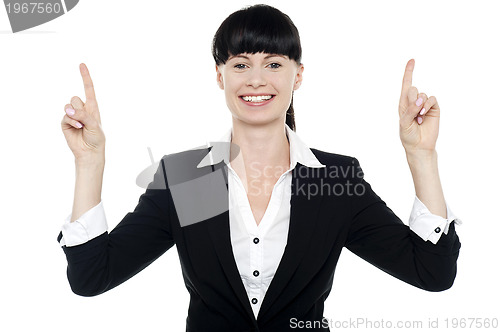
(155, 83)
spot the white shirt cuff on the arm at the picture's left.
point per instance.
(90, 225)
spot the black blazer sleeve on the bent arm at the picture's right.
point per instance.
(378, 236)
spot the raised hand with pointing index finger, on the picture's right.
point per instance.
(418, 116)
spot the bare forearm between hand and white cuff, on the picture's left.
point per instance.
(88, 187)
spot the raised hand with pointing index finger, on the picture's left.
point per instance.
(82, 129)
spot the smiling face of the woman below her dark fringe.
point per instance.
(258, 87)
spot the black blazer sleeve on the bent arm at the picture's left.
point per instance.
(140, 238)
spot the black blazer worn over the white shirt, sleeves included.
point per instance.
(320, 226)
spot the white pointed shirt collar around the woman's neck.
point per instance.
(299, 151)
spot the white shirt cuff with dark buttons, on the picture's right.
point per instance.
(428, 225)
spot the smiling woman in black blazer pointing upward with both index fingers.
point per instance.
(266, 261)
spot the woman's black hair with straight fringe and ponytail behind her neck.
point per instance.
(254, 29)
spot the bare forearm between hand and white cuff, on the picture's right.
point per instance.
(424, 170)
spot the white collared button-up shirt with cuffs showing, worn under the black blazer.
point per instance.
(257, 248)
